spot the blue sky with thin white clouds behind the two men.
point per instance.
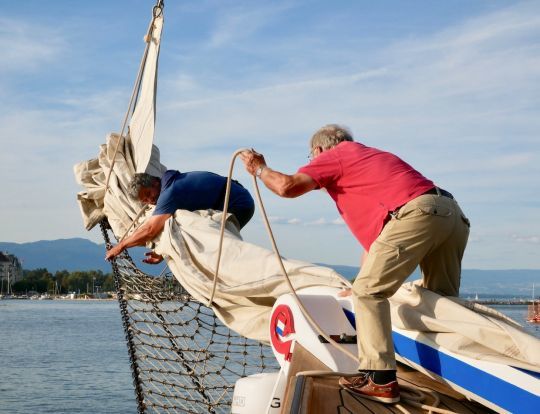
(452, 87)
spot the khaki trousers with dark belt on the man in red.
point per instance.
(430, 231)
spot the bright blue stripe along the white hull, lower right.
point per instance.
(491, 388)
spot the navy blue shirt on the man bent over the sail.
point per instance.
(202, 190)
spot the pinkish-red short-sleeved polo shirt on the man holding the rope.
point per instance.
(366, 184)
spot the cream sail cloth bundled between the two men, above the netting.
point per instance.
(250, 278)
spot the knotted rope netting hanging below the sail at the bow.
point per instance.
(183, 359)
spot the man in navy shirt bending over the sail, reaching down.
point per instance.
(196, 190)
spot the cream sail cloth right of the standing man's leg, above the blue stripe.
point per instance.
(465, 328)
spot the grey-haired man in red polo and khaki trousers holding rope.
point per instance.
(400, 218)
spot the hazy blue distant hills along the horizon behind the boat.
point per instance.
(82, 254)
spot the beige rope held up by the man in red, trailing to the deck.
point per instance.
(410, 399)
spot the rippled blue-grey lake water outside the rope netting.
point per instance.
(71, 357)
